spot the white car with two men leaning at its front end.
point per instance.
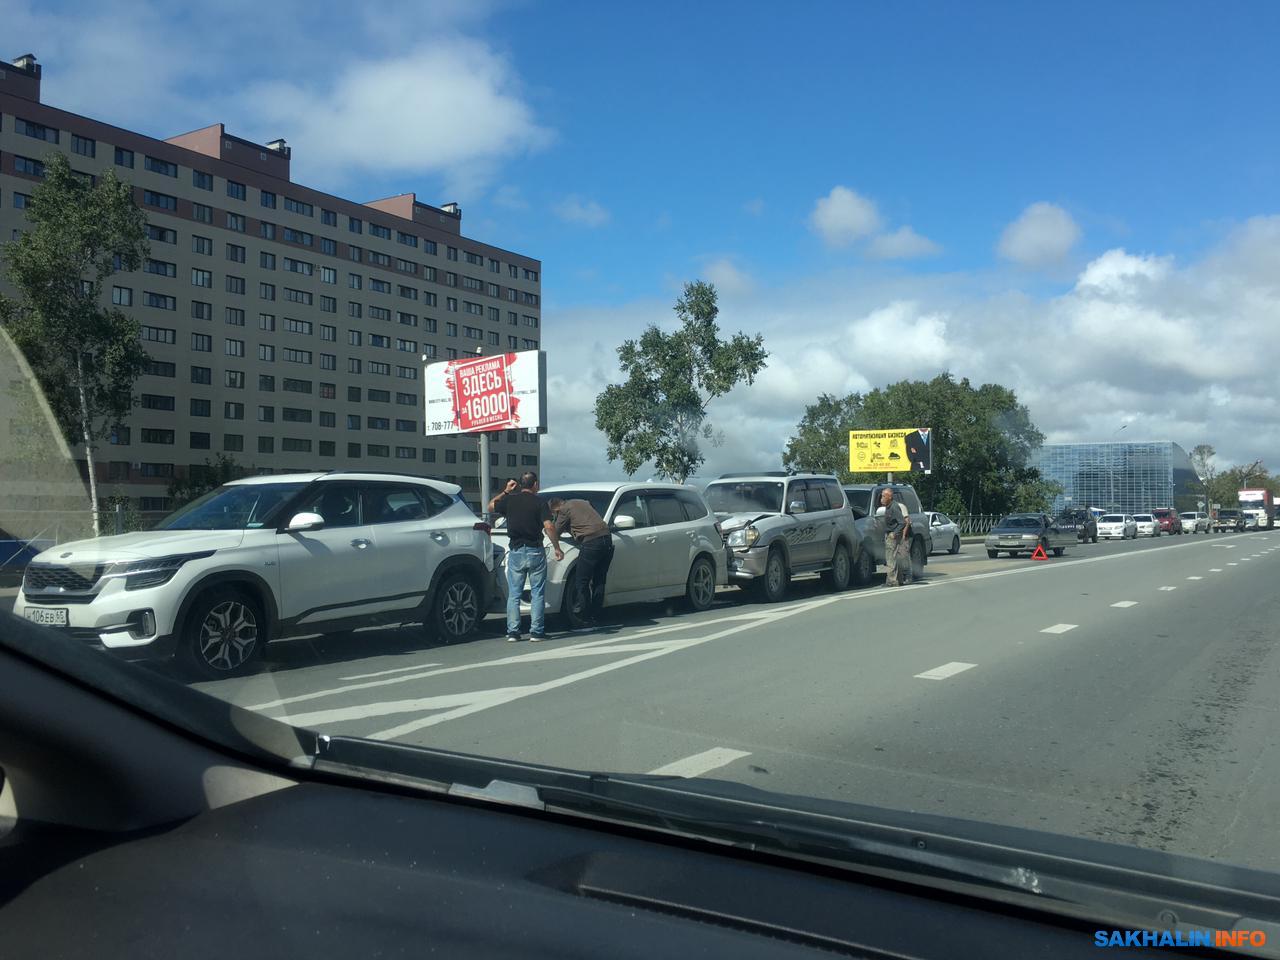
(666, 543)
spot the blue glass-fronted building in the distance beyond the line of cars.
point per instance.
(1127, 478)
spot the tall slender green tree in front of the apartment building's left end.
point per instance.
(85, 355)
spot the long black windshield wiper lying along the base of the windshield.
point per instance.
(1103, 884)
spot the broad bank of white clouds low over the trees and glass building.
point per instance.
(1137, 340)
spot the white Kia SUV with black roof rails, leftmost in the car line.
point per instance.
(271, 557)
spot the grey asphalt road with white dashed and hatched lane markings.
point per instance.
(1126, 692)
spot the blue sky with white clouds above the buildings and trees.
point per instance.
(984, 181)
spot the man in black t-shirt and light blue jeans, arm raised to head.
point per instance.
(528, 520)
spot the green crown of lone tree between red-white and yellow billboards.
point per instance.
(660, 412)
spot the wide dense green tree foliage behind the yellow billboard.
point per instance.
(982, 442)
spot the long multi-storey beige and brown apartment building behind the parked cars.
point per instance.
(286, 327)
